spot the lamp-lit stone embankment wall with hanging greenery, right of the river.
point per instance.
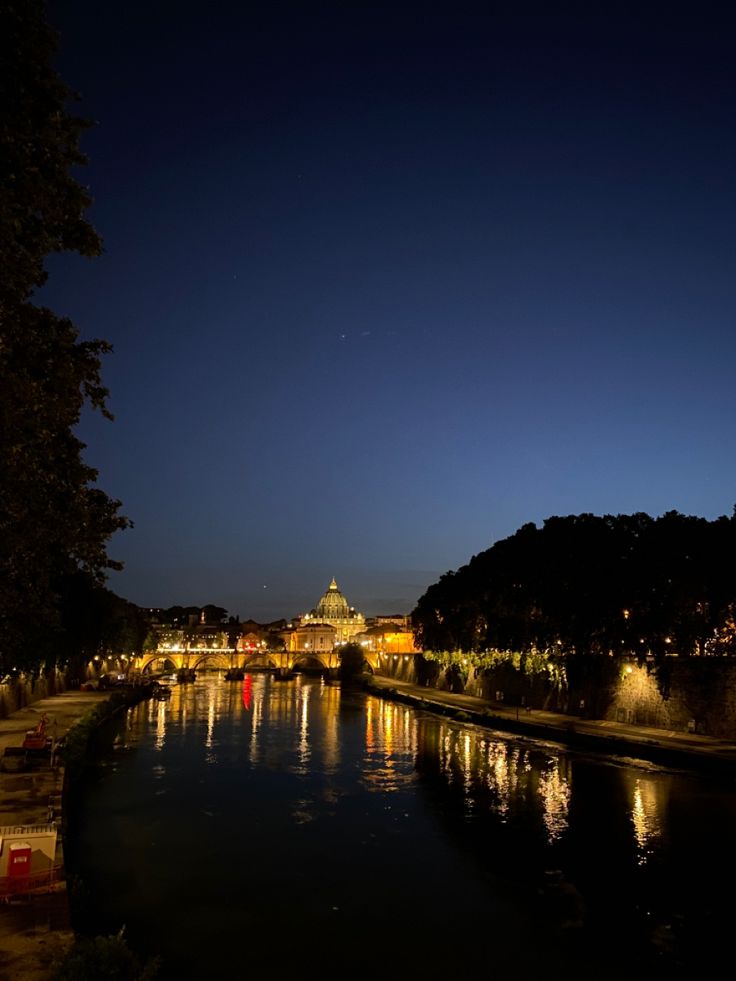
(695, 694)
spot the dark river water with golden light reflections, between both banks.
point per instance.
(296, 828)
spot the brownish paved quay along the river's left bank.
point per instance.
(35, 929)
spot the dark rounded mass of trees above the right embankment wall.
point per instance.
(584, 585)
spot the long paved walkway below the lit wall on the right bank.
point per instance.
(663, 746)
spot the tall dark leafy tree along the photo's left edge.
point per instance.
(53, 519)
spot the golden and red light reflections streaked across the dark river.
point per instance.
(493, 776)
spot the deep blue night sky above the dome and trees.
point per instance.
(384, 284)
